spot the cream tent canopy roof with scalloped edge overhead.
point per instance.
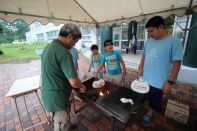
(90, 12)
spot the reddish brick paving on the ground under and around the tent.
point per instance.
(88, 119)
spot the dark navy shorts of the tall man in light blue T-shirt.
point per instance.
(154, 96)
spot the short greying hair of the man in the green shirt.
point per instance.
(70, 29)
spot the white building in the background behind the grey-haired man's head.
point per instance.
(49, 32)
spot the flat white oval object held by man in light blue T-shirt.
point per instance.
(140, 86)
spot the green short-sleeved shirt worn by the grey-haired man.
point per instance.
(56, 68)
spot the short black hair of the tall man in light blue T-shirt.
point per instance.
(155, 21)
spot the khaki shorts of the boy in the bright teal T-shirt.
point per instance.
(115, 79)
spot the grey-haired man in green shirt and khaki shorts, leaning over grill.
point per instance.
(59, 76)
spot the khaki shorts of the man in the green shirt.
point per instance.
(61, 120)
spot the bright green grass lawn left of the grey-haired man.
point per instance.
(14, 52)
